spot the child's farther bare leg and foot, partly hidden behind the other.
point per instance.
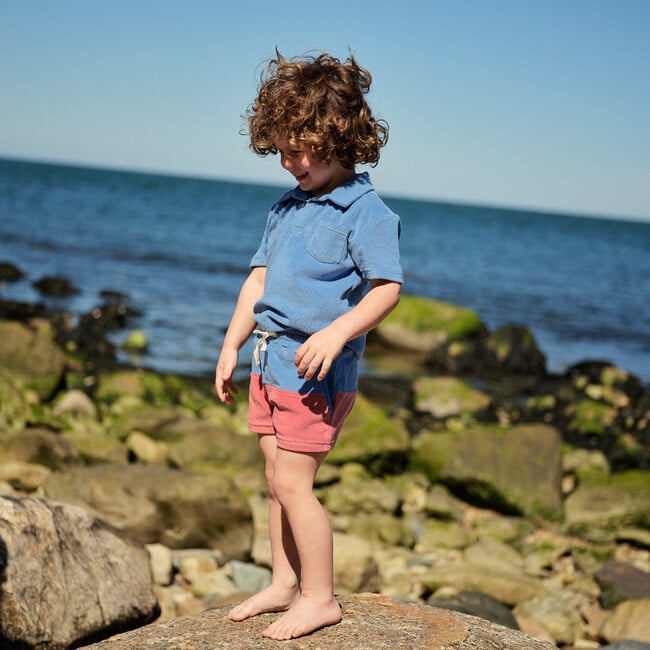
(284, 588)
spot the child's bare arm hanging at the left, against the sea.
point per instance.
(240, 328)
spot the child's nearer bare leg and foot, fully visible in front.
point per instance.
(312, 534)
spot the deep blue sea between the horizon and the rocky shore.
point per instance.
(180, 247)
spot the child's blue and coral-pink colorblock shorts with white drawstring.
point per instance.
(305, 416)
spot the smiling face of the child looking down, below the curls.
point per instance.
(313, 176)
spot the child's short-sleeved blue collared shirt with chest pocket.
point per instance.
(321, 252)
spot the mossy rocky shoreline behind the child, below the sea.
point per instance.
(467, 477)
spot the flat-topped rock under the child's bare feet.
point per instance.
(369, 621)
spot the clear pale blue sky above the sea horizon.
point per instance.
(532, 103)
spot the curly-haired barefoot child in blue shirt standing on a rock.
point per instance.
(327, 271)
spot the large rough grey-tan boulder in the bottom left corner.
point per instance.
(66, 578)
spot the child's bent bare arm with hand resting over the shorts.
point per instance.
(322, 347)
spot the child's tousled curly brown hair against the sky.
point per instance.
(318, 102)
